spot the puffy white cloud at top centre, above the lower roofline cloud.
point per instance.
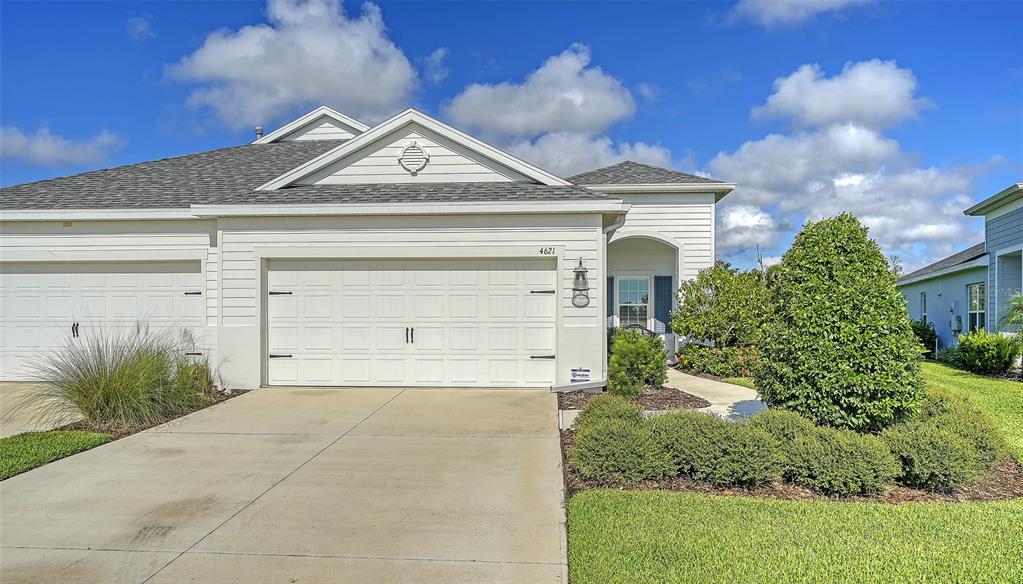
(565, 95)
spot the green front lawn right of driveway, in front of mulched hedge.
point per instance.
(658, 536)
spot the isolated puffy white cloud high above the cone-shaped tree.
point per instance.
(873, 94)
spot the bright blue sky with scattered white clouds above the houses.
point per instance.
(903, 113)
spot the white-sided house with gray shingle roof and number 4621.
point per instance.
(332, 253)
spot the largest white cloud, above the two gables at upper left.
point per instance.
(312, 53)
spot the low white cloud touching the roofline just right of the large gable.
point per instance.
(567, 154)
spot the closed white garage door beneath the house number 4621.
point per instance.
(421, 324)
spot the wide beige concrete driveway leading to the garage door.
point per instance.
(304, 486)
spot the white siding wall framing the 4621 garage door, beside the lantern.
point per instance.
(248, 244)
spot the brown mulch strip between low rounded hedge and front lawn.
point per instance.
(1005, 481)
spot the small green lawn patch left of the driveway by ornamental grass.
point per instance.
(26, 452)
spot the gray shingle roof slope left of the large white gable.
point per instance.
(168, 184)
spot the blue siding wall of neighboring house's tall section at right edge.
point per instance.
(1004, 232)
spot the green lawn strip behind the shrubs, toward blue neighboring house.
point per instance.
(1003, 399)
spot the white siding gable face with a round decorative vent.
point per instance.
(428, 157)
